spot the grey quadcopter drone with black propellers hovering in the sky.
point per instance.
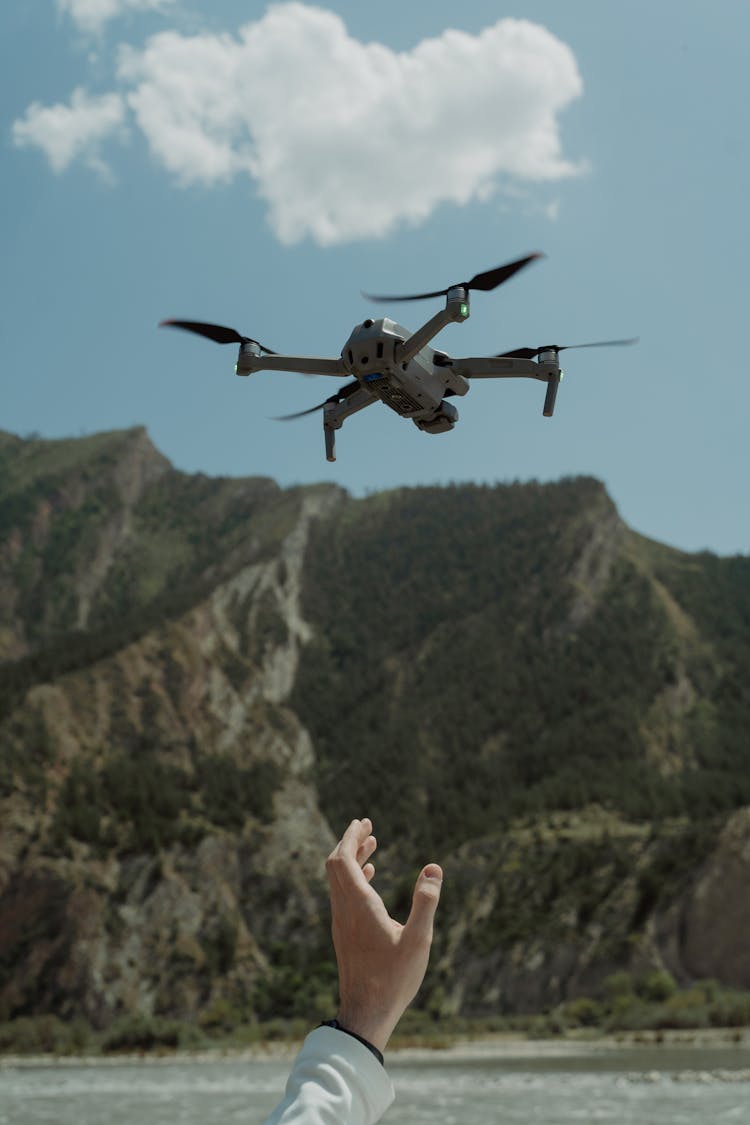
(388, 364)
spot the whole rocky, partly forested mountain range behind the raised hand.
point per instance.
(203, 680)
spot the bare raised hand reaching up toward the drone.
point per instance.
(382, 964)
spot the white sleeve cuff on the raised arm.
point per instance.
(336, 1081)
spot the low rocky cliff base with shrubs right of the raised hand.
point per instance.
(548, 914)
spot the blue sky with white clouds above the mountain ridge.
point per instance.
(259, 166)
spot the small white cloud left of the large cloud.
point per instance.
(67, 133)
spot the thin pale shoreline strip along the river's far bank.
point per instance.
(500, 1046)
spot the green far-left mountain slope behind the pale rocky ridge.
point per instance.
(94, 562)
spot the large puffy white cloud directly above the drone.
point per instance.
(347, 140)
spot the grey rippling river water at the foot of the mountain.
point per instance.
(665, 1086)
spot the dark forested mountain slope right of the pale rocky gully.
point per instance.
(462, 652)
